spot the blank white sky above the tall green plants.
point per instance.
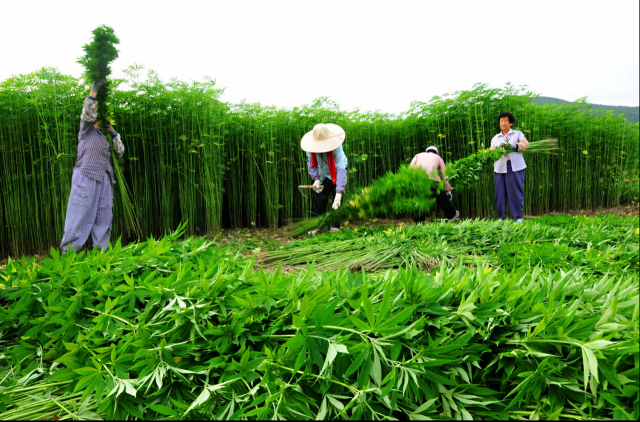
(367, 55)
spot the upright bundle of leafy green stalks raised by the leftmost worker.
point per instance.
(99, 54)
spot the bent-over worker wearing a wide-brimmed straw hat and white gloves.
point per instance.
(327, 167)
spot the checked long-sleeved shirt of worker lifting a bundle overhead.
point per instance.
(94, 157)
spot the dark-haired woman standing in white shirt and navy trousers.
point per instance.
(509, 170)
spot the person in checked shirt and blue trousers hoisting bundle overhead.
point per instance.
(89, 210)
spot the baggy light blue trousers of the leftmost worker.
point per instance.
(89, 212)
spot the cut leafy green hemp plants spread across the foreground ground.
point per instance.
(181, 328)
